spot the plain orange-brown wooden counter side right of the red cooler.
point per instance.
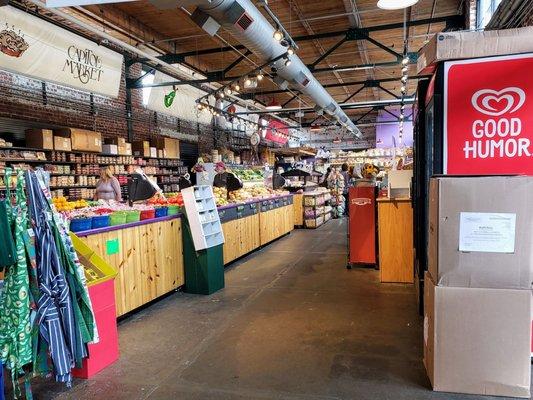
(395, 227)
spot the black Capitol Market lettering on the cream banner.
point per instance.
(84, 65)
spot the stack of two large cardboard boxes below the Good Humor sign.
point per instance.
(477, 318)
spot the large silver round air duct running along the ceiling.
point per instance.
(246, 23)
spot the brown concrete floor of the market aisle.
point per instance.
(293, 323)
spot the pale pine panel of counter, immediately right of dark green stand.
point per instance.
(242, 237)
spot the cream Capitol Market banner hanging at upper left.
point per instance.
(36, 48)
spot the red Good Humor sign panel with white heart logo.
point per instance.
(488, 116)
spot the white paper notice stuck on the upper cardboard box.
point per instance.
(487, 232)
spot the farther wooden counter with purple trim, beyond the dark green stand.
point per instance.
(251, 225)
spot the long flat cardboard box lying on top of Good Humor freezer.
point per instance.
(460, 45)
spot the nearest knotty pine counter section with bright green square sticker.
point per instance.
(148, 256)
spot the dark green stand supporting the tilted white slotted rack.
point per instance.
(204, 269)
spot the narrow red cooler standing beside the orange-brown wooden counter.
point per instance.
(362, 226)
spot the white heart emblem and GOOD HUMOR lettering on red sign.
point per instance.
(497, 137)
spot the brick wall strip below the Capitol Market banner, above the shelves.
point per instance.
(24, 98)
